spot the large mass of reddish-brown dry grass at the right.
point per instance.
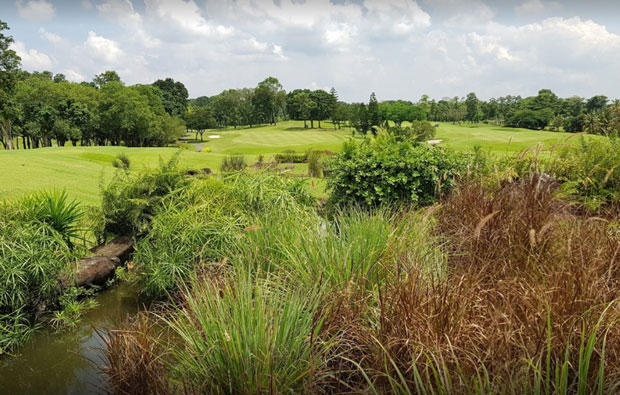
(518, 260)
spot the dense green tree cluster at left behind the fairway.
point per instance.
(41, 108)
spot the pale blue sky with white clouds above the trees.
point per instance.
(399, 49)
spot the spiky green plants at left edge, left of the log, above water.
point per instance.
(35, 249)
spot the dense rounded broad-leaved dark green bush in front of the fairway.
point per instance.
(385, 171)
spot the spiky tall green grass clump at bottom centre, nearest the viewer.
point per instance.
(246, 336)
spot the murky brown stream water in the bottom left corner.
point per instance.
(66, 362)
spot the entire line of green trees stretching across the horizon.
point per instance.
(40, 108)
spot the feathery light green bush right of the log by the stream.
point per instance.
(201, 223)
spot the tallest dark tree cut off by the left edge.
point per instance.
(9, 66)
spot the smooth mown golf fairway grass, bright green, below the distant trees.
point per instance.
(79, 169)
